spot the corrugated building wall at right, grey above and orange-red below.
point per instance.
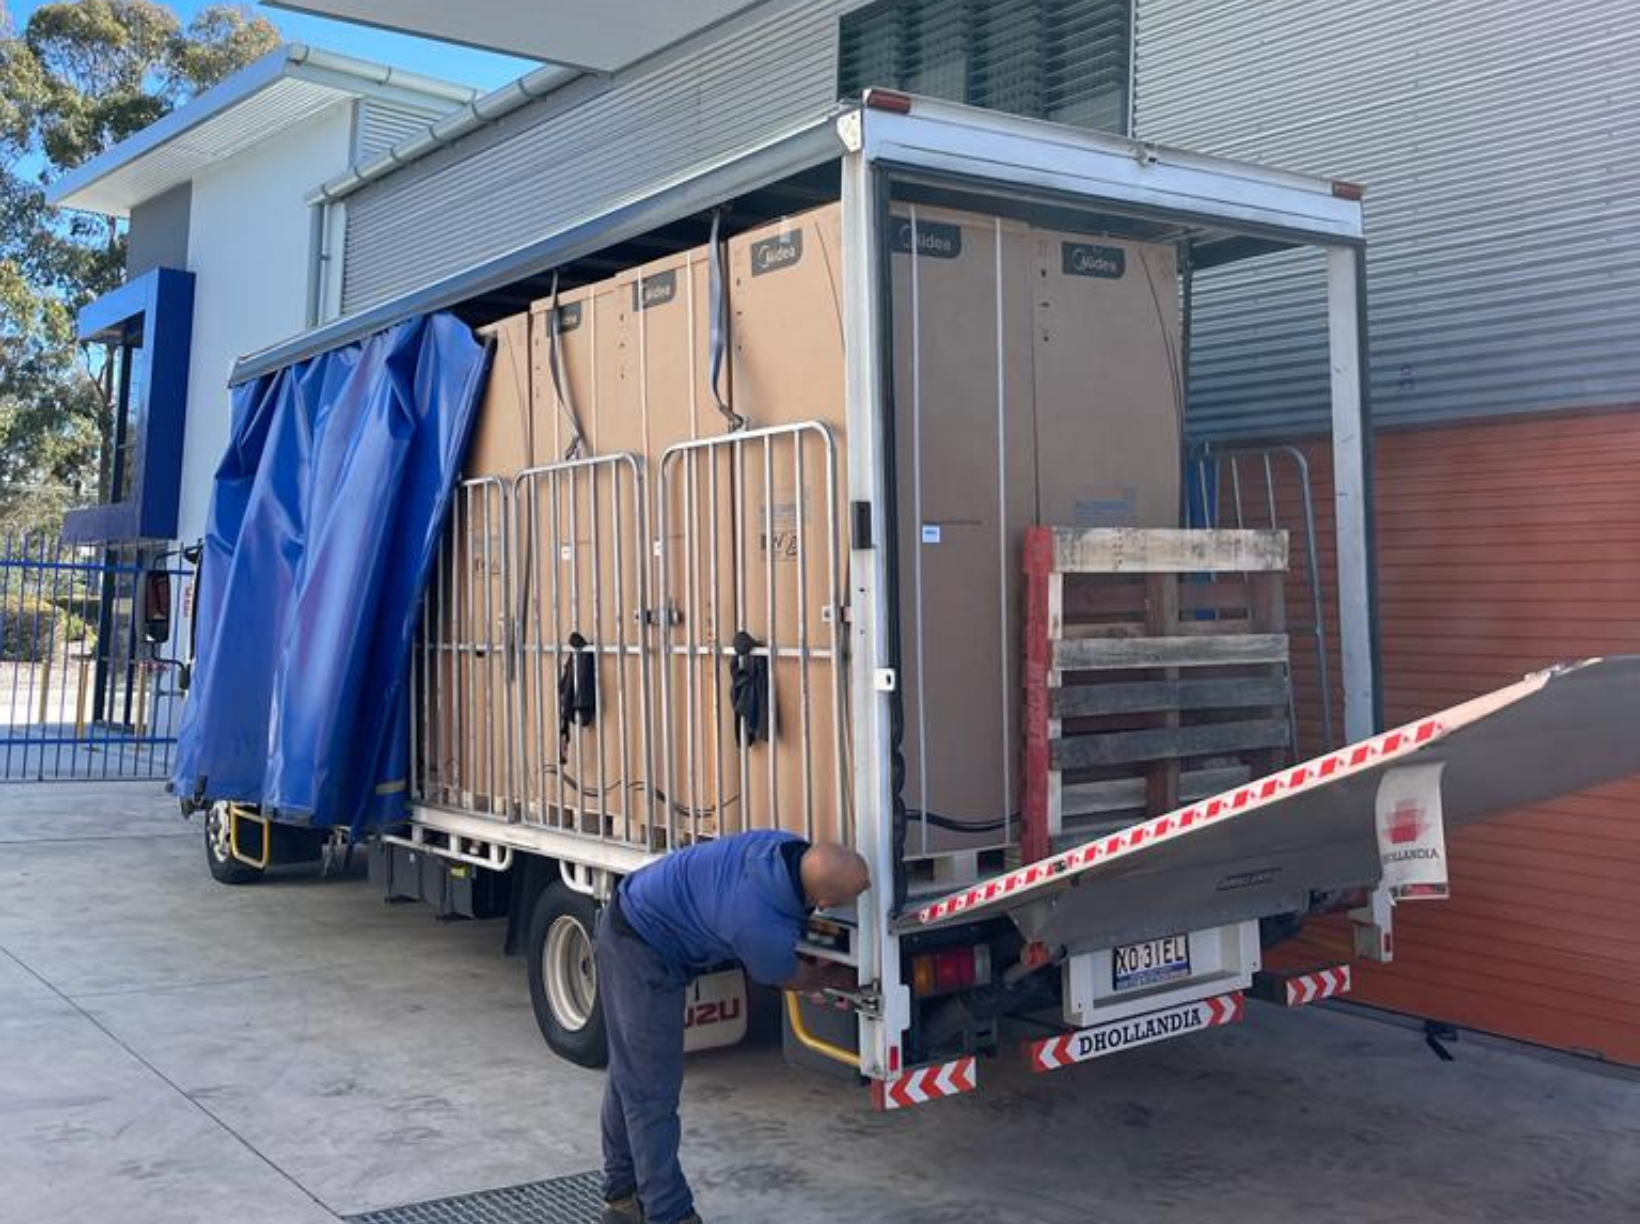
(1500, 155)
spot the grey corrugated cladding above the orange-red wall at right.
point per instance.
(1498, 145)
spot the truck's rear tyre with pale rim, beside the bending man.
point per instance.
(563, 977)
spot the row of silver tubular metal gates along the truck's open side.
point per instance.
(550, 687)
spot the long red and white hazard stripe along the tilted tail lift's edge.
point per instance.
(1236, 803)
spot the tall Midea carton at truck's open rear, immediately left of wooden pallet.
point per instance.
(967, 462)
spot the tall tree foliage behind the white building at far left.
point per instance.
(76, 81)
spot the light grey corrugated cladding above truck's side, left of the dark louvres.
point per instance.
(586, 148)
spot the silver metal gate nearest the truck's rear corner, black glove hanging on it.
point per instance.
(752, 578)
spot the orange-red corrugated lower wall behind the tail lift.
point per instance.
(1505, 547)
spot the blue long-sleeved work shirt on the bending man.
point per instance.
(721, 902)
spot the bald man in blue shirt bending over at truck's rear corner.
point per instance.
(744, 898)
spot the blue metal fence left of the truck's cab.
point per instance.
(93, 669)
